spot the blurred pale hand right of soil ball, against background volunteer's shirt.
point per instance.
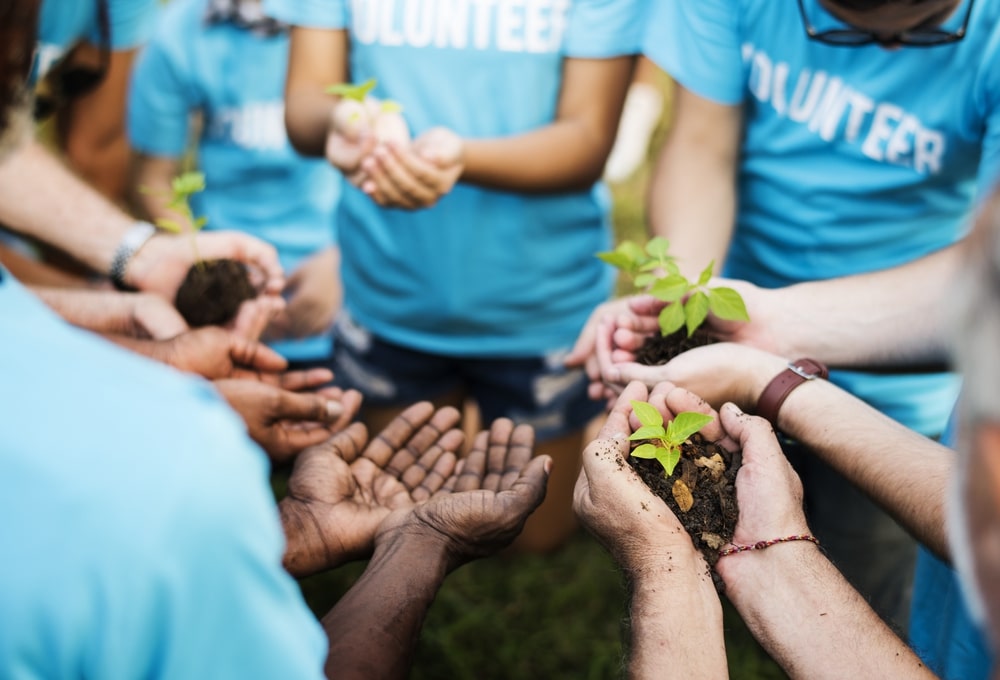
(314, 296)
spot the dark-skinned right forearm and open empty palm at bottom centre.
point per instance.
(373, 629)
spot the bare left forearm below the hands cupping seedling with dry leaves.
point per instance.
(676, 624)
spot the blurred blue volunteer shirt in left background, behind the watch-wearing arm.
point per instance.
(255, 181)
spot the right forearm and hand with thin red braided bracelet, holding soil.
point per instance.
(794, 601)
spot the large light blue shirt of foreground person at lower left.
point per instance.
(141, 535)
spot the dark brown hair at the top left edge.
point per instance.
(18, 34)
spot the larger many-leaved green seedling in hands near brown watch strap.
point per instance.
(653, 270)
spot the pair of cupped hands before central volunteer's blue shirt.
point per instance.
(375, 153)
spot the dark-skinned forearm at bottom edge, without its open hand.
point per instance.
(373, 629)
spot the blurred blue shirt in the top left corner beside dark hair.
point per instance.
(64, 23)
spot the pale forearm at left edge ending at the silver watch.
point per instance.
(63, 210)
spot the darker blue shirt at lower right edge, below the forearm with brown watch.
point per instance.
(942, 631)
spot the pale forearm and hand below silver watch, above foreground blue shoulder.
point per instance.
(136, 315)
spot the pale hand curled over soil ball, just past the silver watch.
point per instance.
(162, 263)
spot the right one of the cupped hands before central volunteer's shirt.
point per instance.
(414, 176)
